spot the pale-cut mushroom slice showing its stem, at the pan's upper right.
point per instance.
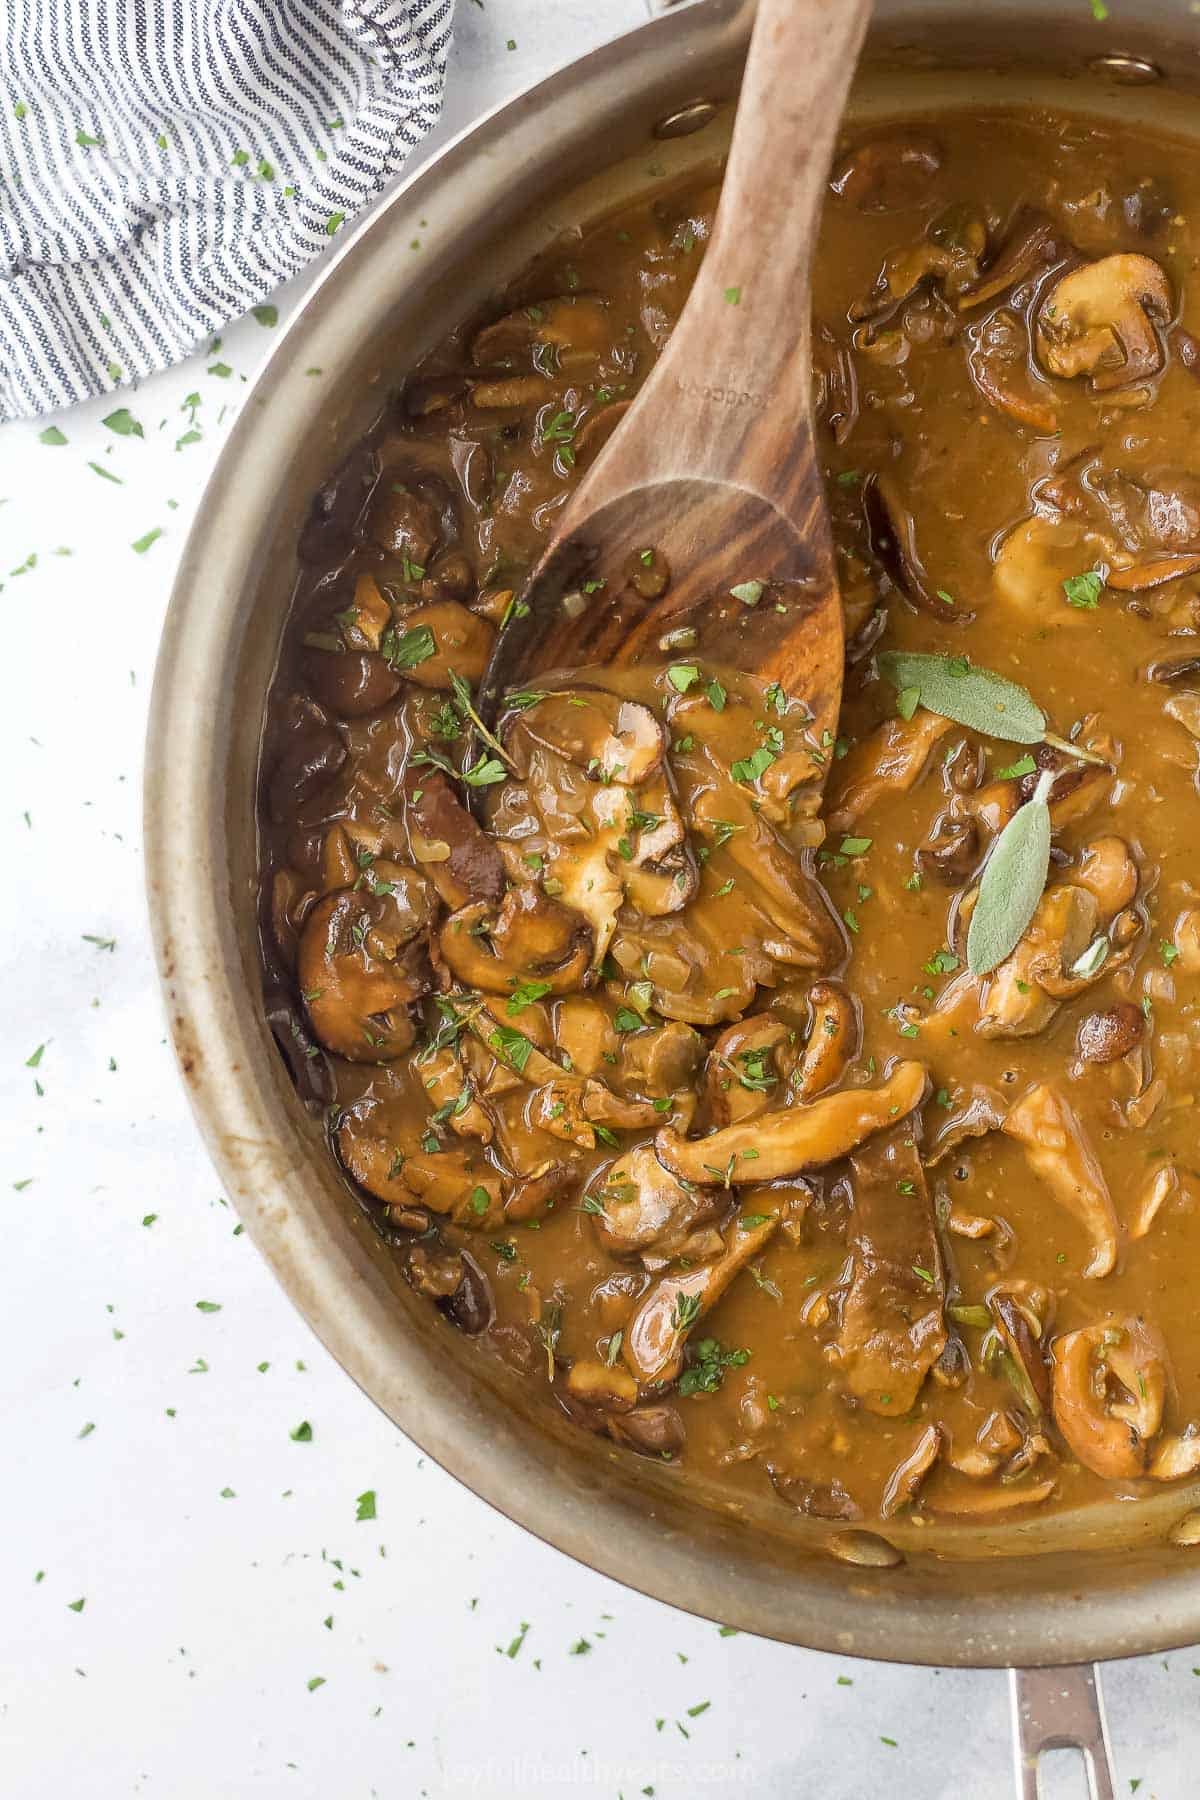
(1102, 321)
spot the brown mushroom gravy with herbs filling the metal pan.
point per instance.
(679, 1084)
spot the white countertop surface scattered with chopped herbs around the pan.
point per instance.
(190, 1605)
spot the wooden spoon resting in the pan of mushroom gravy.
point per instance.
(712, 483)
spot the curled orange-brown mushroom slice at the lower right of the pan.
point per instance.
(1111, 1387)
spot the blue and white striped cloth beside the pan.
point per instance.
(165, 165)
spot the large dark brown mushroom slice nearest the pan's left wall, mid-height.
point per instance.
(363, 962)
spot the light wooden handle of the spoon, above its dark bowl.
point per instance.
(731, 397)
